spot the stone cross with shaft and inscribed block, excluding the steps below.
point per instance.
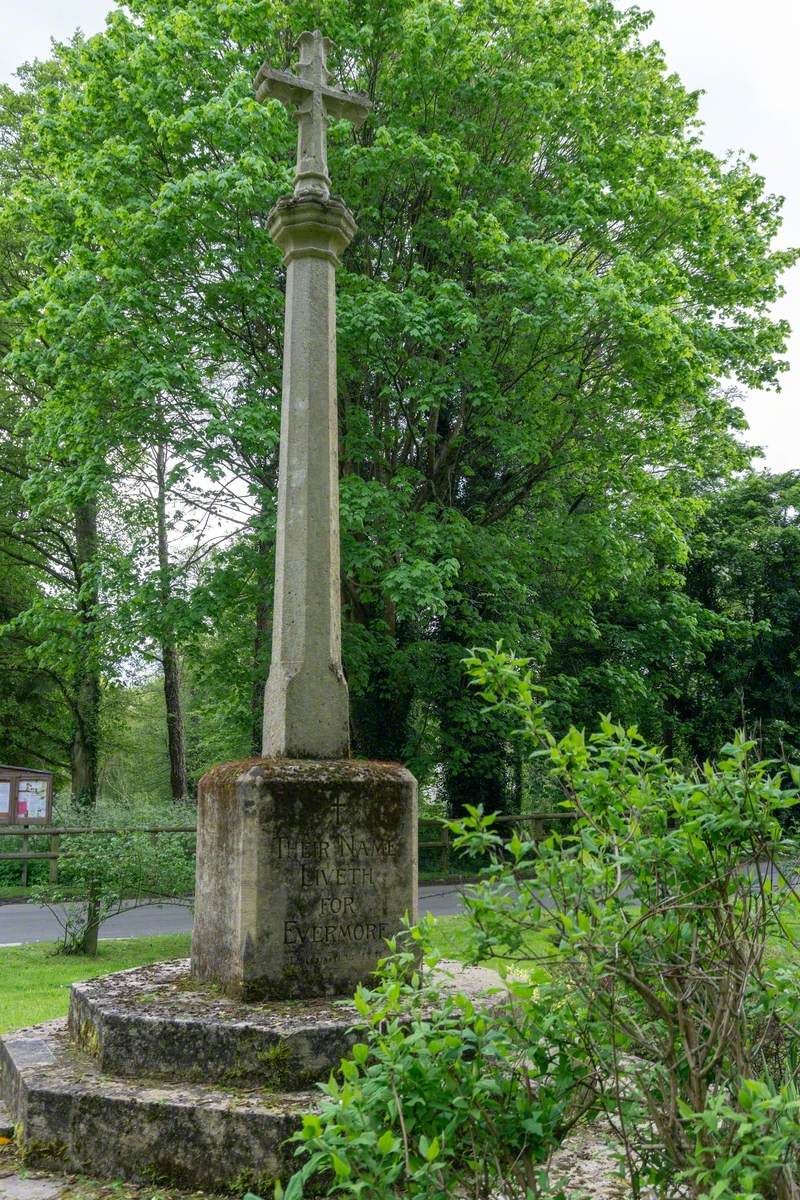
(306, 859)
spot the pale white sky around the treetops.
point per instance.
(743, 53)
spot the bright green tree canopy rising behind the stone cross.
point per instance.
(550, 281)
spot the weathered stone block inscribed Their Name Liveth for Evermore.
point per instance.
(304, 869)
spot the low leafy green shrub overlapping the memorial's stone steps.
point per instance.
(442, 1096)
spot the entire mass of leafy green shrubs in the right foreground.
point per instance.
(654, 979)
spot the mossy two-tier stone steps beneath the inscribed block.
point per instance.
(158, 1079)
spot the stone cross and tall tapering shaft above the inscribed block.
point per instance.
(306, 706)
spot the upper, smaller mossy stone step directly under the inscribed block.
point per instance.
(157, 1023)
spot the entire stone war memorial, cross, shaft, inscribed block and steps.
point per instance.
(196, 1073)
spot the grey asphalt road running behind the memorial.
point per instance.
(33, 923)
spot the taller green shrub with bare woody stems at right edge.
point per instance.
(659, 908)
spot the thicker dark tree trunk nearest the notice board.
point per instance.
(87, 675)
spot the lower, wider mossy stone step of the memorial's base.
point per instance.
(77, 1119)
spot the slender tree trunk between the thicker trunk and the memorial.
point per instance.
(170, 659)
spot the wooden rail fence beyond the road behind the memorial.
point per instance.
(538, 823)
